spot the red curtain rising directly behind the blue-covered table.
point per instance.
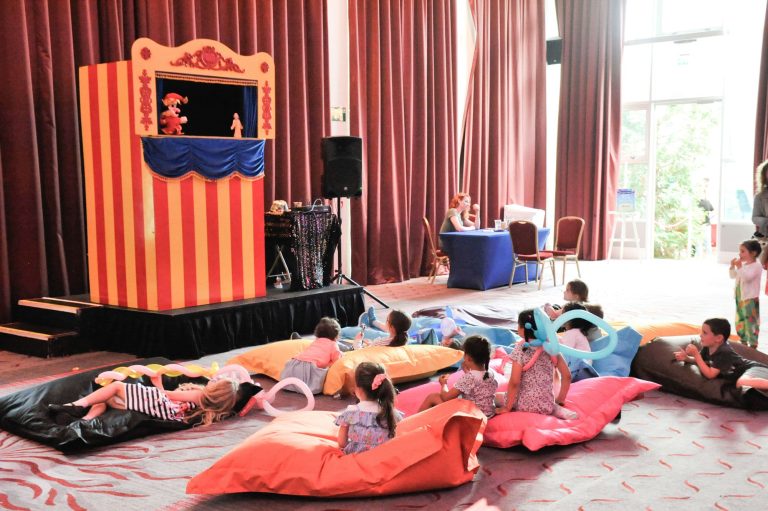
(505, 127)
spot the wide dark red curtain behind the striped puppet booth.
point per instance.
(42, 44)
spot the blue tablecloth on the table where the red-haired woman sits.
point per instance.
(483, 259)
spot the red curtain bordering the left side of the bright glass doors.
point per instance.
(590, 117)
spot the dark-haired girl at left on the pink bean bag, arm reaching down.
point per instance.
(476, 384)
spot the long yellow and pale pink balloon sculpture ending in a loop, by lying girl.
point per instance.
(263, 400)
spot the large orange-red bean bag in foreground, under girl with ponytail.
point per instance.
(298, 454)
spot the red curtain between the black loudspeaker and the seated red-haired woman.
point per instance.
(403, 105)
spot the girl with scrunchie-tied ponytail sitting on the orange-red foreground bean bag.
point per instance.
(373, 420)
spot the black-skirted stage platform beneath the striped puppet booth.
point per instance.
(193, 332)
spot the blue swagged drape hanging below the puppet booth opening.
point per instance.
(212, 158)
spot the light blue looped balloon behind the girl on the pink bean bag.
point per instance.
(546, 334)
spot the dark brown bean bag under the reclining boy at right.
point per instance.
(656, 362)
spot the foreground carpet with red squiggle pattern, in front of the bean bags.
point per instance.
(665, 453)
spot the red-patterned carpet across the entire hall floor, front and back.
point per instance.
(667, 452)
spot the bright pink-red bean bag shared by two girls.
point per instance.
(597, 401)
